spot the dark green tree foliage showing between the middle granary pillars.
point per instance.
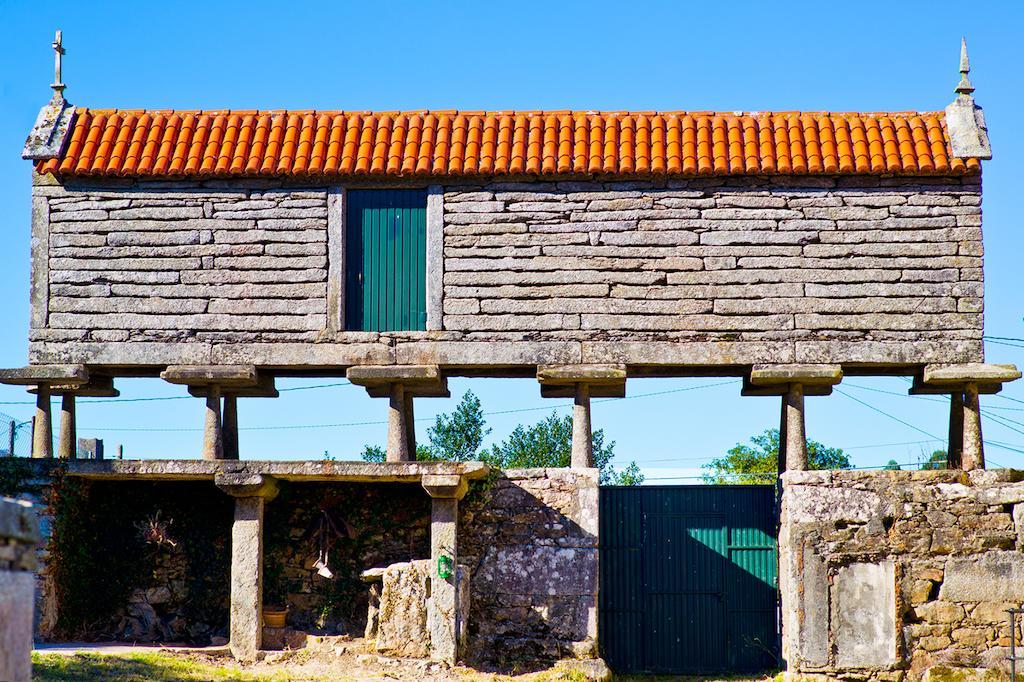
(459, 436)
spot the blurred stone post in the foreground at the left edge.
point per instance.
(19, 539)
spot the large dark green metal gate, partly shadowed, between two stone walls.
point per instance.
(689, 579)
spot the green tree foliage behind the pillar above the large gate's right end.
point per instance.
(758, 463)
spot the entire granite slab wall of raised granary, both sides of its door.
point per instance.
(714, 271)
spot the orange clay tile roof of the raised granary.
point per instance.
(229, 144)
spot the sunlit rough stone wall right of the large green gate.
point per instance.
(893, 576)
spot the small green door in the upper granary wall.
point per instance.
(386, 261)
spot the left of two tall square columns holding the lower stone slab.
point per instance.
(251, 493)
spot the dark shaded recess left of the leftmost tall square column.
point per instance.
(140, 562)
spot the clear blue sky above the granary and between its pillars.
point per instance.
(383, 56)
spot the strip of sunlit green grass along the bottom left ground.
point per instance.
(137, 668)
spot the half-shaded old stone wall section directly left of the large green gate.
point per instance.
(531, 543)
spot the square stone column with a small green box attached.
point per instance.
(444, 624)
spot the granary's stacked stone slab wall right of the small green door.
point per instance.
(816, 270)
